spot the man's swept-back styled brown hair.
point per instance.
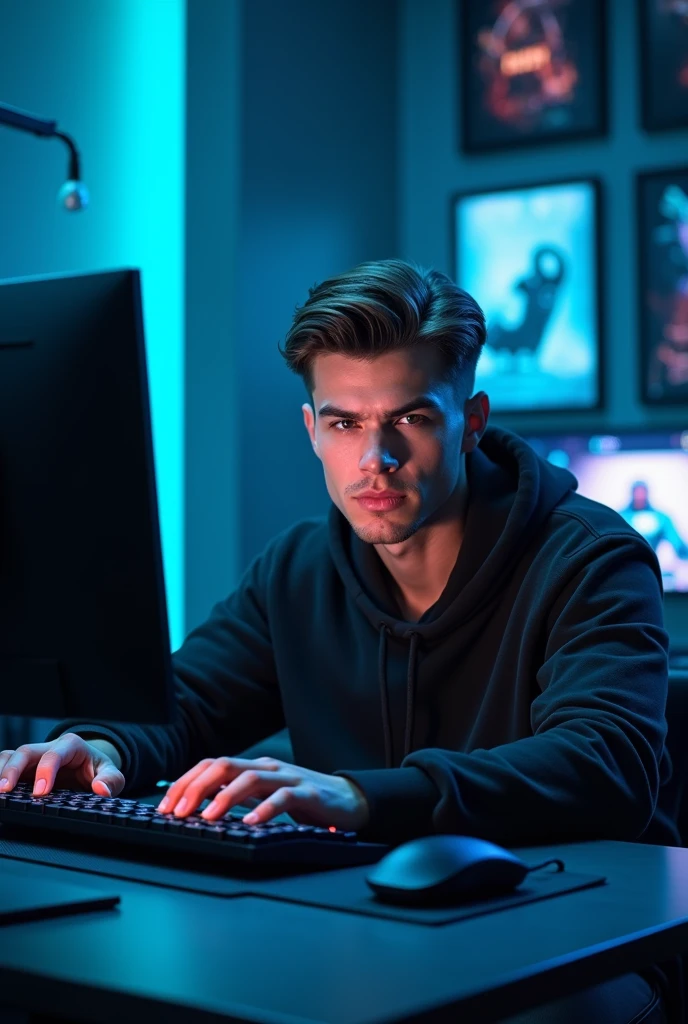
(381, 307)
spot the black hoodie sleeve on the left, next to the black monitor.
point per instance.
(228, 696)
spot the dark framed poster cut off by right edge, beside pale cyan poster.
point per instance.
(663, 285)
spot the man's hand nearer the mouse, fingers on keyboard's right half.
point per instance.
(310, 797)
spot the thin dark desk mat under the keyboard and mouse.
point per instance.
(341, 889)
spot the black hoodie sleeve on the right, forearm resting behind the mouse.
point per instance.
(591, 769)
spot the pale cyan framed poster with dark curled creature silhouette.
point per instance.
(531, 257)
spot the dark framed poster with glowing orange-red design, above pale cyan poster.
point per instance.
(532, 71)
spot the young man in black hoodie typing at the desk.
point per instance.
(463, 646)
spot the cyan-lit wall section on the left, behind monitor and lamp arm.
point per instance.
(113, 74)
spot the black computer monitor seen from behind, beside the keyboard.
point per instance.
(83, 618)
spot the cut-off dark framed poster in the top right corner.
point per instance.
(664, 60)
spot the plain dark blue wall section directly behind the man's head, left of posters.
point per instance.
(319, 195)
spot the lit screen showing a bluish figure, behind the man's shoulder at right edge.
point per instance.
(642, 475)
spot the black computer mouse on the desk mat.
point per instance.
(439, 870)
